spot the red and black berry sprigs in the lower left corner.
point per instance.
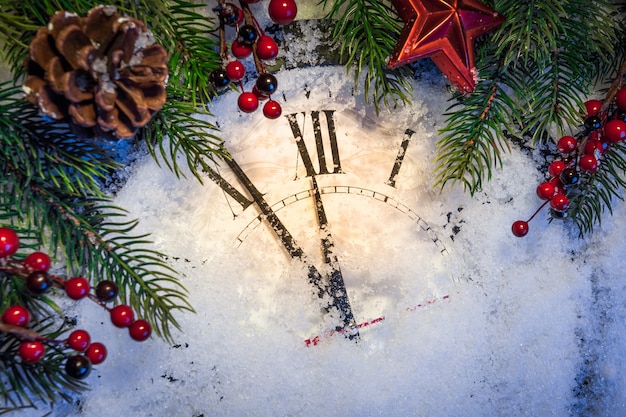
(32, 348)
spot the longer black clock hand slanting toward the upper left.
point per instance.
(337, 294)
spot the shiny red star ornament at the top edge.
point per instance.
(444, 30)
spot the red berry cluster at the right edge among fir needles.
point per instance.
(579, 155)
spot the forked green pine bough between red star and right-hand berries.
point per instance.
(536, 70)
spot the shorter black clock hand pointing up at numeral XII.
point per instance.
(336, 283)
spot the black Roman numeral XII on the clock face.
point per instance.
(319, 142)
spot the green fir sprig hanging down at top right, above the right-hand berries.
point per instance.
(553, 50)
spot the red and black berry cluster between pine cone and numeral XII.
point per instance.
(251, 40)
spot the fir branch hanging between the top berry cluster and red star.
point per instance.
(368, 31)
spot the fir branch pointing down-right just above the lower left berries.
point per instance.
(97, 245)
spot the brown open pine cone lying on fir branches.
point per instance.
(103, 72)
